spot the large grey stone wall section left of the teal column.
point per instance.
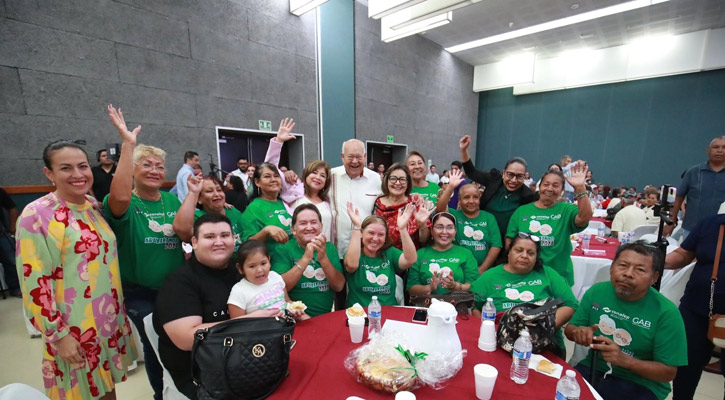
(177, 67)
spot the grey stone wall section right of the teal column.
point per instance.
(413, 89)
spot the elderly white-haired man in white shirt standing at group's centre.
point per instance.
(354, 183)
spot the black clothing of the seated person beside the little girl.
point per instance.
(192, 290)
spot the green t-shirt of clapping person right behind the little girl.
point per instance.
(313, 289)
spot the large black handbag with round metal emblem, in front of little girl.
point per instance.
(242, 359)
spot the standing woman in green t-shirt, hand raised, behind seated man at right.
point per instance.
(554, 221)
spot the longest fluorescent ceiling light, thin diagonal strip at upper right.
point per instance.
(574, 19)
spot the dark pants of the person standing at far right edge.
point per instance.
(699, 350)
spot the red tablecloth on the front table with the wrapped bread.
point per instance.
(317, 371)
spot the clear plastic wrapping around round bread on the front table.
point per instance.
(390, 364)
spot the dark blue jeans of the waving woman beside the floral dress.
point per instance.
(140, 302)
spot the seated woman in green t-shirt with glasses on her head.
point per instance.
(524, 278)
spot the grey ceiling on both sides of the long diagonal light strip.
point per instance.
(492, 17)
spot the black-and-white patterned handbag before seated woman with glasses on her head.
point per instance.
(539, 319)
